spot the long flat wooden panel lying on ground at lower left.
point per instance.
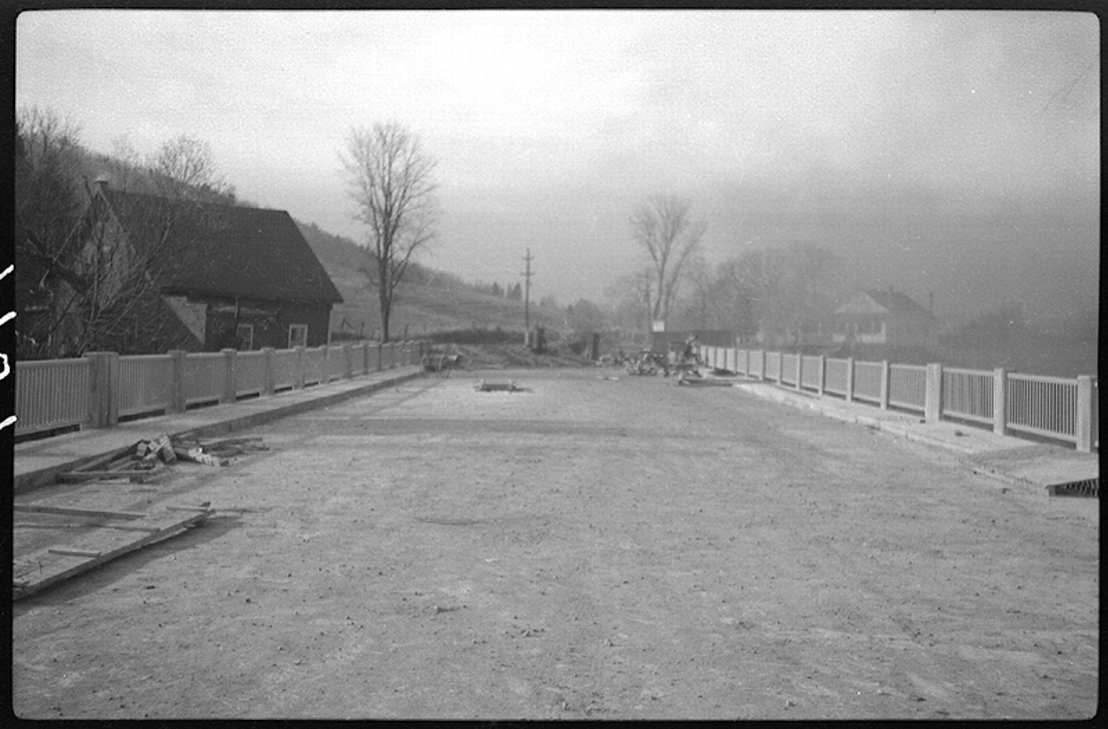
(52, 566)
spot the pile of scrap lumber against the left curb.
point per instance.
(149, 459)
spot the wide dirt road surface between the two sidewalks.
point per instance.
(608, 549)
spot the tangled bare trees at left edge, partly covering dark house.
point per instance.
(83, 283)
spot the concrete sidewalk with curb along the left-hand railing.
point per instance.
(37, 464)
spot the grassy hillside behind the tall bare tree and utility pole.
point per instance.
(427, 302)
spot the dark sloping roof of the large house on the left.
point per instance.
(224, 252)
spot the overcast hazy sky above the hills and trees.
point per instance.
(551, 127)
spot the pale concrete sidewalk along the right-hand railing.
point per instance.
(1006, 458)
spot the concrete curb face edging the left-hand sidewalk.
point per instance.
(32, 480)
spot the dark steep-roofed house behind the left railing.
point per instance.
(222, 276)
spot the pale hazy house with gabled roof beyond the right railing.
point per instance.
(884, 317)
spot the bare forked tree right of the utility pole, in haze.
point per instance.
(665, 229)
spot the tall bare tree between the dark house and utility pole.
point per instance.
(392, 181)
